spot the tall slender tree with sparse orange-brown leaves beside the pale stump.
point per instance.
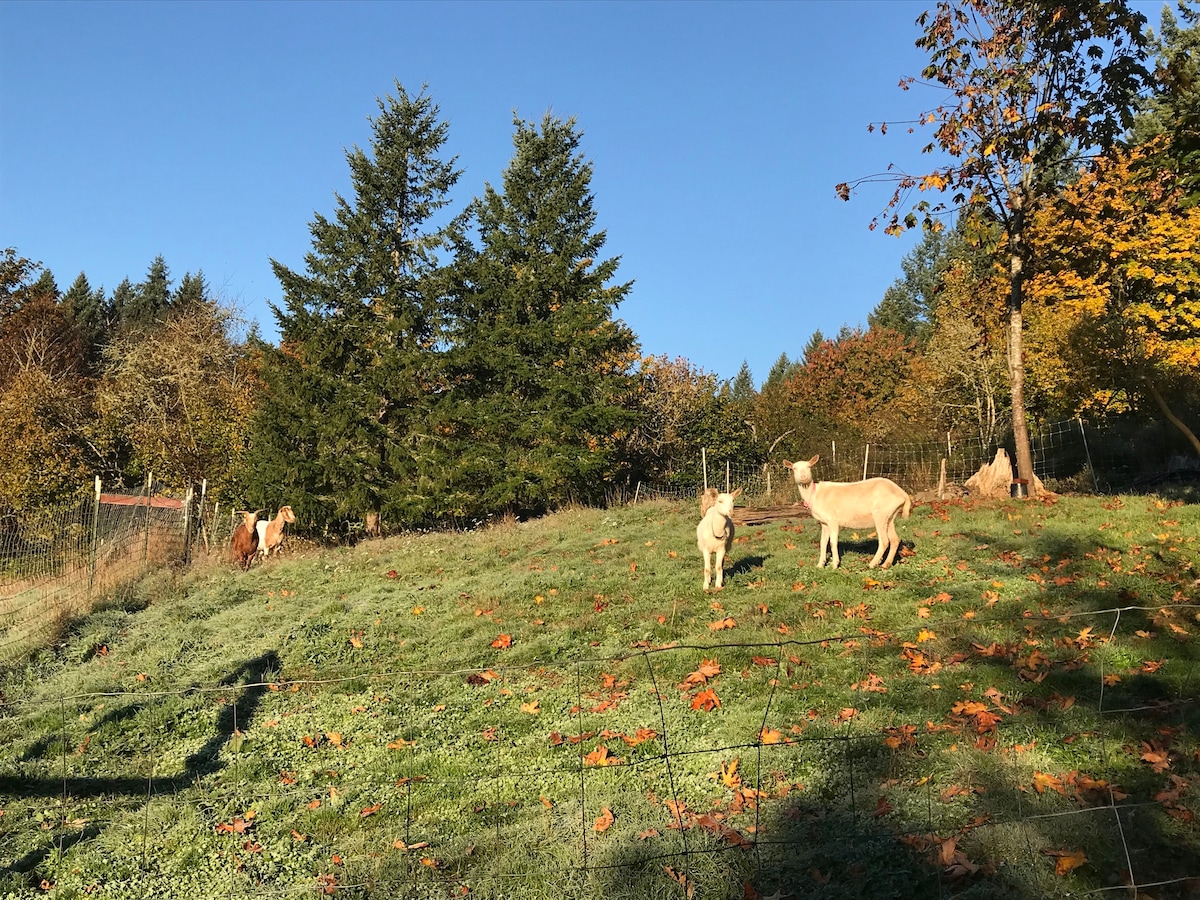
(1030, 86)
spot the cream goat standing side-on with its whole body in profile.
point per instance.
(856, 505)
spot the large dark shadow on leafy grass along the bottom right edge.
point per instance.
(842, 838)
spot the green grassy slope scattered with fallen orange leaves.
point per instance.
(953, 727)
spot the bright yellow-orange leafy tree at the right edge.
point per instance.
(1119, 289)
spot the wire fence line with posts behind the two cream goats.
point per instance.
(1070, 457)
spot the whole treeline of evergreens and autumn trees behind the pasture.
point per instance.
(443, 365)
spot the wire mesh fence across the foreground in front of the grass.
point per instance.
(805, 771)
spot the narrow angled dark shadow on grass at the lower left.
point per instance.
(207, 760)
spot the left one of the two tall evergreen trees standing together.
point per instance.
(340, 430)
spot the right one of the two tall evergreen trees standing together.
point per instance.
(542, 369)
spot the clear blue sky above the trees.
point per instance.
(212, 133)
